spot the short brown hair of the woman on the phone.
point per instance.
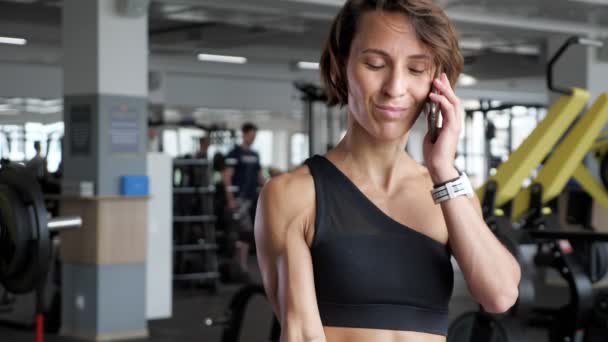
(430, 22)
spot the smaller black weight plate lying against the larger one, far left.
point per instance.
(15, 233)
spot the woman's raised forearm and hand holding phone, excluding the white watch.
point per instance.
(491, 272)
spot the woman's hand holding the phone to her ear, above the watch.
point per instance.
(439, 157)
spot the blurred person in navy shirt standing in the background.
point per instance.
(243, 171)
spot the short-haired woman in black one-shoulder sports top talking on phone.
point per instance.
(352, 246)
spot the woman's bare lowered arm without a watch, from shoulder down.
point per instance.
(285, 209)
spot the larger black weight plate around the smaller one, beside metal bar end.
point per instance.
(37, 250)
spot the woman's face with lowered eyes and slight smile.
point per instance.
(389, 74)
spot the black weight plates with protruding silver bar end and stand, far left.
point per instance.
(25, 244)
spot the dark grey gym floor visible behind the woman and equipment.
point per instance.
(192, 305)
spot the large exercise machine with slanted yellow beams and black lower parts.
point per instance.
(535, 224)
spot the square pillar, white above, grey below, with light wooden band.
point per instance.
(105, 58)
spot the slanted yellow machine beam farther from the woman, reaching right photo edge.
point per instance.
(567, 157)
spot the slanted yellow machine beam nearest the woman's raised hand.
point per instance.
(511, 174)
